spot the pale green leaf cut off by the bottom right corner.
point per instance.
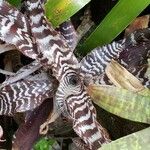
(137, 141)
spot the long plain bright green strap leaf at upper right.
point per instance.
(114, 23)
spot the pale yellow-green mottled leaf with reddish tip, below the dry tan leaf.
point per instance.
(121, 102)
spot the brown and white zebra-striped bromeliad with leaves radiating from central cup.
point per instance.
(62, 78)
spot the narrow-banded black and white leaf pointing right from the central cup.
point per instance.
(94, 63)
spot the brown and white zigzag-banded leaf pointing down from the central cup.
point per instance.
(86, 126)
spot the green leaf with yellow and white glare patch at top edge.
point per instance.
(58, 11)
